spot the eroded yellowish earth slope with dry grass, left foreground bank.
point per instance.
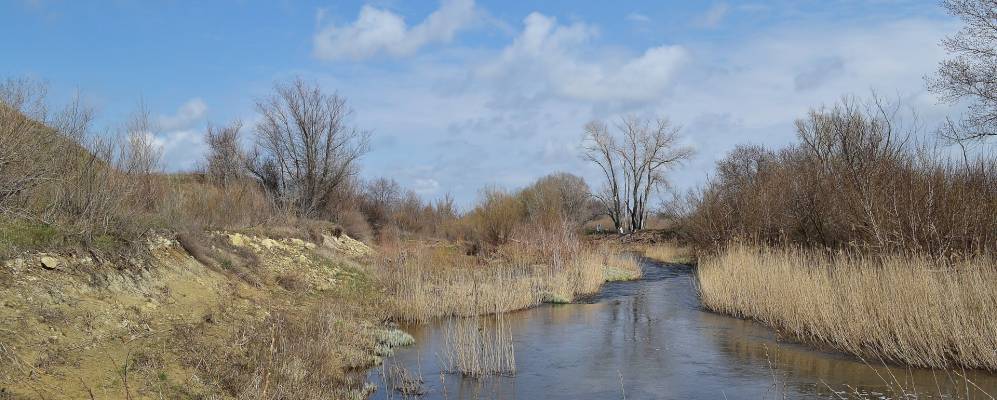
(219, 315)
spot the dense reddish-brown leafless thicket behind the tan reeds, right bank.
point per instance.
(857, 179)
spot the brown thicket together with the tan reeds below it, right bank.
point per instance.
(857, 238)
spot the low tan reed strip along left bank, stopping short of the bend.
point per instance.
(429, 282)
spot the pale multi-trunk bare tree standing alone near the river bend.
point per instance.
(635, 166)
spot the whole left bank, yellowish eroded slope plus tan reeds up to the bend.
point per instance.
(278, 313)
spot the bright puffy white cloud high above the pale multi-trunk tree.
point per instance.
(558, 60)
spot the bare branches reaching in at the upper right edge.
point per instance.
(972, 71)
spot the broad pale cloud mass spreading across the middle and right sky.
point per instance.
(516, 113)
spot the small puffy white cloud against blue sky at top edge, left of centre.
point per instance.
(379, 30)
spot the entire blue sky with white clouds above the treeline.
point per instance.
(460, 94)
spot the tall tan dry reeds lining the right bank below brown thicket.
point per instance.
(910, 309)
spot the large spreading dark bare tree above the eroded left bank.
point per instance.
(305, 149)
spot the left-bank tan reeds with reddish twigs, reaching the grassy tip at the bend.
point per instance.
(428, 281)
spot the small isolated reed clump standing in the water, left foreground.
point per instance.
(478, 346)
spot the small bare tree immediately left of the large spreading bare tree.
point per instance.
(226, 160)
